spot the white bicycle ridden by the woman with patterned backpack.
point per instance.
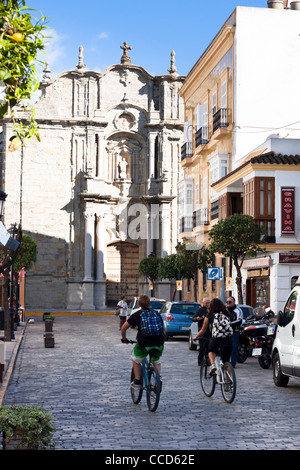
(225, 377)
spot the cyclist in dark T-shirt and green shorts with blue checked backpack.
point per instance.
(146, 344)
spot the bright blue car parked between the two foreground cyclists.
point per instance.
(177, 317)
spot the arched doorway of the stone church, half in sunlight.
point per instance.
(121, 271)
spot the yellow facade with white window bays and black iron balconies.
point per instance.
(206, 154)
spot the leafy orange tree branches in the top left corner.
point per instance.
(20, 41)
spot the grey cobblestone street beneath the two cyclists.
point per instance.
(84, 383)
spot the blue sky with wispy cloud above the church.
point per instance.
(153, 29)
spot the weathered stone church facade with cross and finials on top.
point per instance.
(99, 192)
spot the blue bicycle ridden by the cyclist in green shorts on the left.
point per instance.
(151, 383)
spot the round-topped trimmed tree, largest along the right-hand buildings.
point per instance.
(238, 236)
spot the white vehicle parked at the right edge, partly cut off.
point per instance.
(286, 350)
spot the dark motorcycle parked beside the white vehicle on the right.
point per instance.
(256, 340)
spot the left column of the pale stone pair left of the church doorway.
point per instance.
(88, 283)
